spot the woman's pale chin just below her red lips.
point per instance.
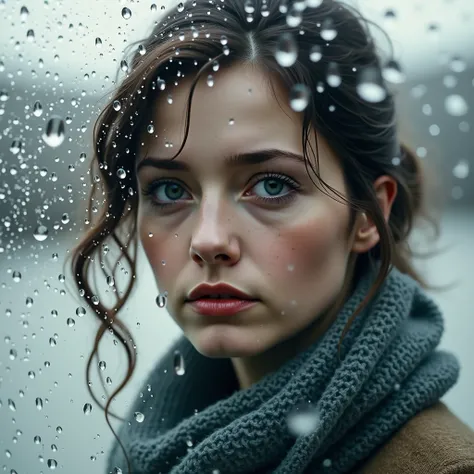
(226, 342)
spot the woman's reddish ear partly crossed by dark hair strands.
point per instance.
(366, 235)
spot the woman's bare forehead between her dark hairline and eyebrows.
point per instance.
(239, 107)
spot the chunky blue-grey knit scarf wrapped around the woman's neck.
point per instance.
(201, 423)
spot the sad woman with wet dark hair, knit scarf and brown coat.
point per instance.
(252, 150)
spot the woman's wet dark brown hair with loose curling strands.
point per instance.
(186, 43)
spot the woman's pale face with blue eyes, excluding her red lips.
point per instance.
(261, 227)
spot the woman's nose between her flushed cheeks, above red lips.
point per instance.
(213, 242)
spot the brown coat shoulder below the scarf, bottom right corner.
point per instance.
(433, 442)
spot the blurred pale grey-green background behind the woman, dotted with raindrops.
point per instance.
(44, 346)
